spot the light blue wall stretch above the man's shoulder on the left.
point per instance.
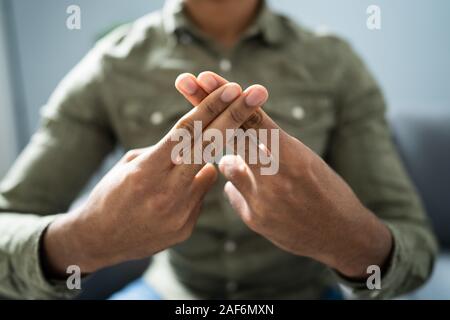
(48, 50)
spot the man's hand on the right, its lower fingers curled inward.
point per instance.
(306, 209)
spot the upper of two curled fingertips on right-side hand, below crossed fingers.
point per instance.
(237, 171)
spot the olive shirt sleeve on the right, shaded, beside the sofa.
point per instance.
(362, 152)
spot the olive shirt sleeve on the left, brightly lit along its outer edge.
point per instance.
(74, 137)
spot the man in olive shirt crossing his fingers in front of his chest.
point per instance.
(295, 234)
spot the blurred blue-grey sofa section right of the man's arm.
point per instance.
(423, 140)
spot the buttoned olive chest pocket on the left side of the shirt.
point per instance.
(144, 122)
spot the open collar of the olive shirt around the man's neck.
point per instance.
(267, 23)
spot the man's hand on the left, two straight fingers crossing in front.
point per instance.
(146, 203)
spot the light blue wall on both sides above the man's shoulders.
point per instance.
(409, 56)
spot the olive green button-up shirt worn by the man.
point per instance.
(122, 94)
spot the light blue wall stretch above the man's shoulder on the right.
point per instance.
(410, 55)
